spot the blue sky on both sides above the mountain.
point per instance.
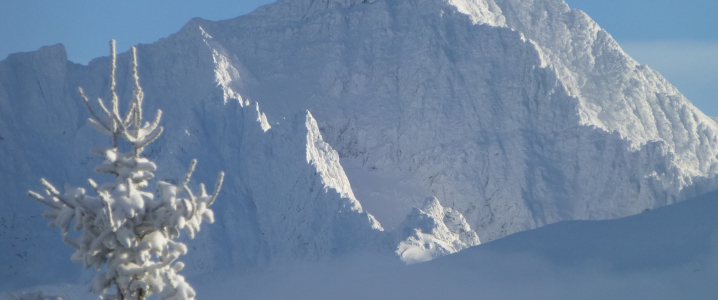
(677, 38)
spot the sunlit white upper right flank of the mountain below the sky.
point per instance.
(614, 91)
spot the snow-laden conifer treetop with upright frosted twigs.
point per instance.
(124, 227)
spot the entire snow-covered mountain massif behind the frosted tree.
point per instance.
(333, 118)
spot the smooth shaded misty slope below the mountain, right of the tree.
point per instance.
(667, 253)
